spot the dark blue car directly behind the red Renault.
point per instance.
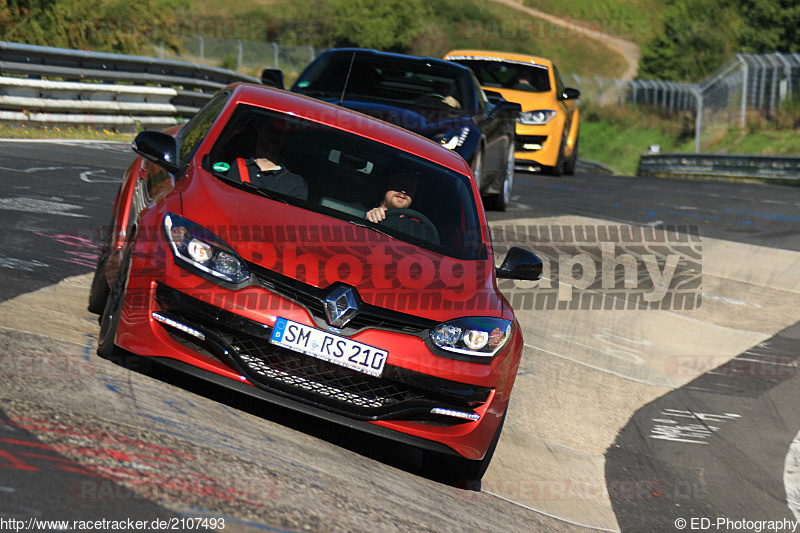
(438, 99)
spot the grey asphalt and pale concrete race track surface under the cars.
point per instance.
(622, 419)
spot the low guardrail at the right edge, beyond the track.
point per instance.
(775, 169)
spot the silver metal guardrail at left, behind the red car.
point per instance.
(54, 85)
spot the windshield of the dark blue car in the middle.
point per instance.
(396, 80)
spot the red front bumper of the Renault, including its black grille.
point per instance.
(235, 351)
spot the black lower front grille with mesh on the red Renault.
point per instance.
(244, 345)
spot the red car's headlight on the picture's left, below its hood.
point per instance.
(198, 247)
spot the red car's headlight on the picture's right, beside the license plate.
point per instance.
(473, 336)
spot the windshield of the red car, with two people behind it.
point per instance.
(344, 175)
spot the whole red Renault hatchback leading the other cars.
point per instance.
(241, 251)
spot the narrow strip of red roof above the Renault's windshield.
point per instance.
(345, 119)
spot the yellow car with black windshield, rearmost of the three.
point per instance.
(547, 128)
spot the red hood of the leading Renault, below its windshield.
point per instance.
(320, 250)
